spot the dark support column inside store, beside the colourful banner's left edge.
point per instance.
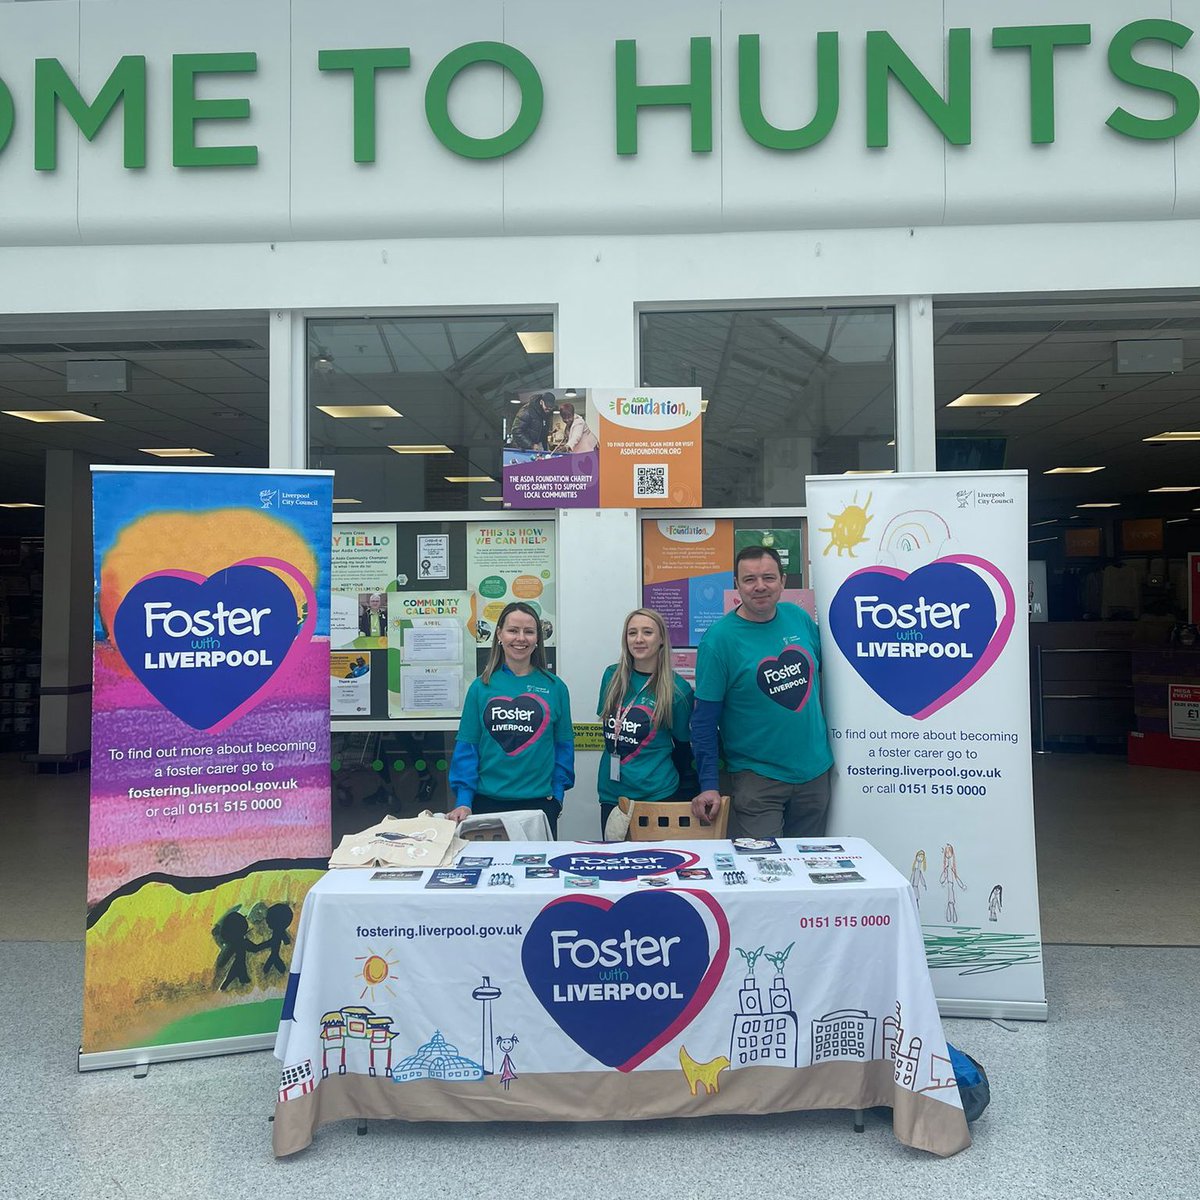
(65, 713)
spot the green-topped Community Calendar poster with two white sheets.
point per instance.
(431, 647)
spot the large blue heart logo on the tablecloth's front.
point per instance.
(621, 980)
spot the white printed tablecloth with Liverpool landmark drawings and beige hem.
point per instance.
(496, 994)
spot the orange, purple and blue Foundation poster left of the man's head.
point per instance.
(687, 566)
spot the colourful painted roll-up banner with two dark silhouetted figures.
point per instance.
(211, 783)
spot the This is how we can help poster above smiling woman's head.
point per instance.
(512, 561)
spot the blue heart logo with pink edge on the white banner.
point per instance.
(922, 640)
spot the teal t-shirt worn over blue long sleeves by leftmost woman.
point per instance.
(515, 722)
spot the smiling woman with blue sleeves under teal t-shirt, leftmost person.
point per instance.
(517, 746)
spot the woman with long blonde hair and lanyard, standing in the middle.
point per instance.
(645, 710)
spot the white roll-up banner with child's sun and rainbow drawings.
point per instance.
(922, 595)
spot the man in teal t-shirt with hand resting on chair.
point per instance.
(758, 681)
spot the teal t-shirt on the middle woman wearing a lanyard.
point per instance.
(647, 772)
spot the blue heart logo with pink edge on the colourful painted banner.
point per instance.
(205, 649)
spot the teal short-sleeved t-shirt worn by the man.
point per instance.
(769, 676)
